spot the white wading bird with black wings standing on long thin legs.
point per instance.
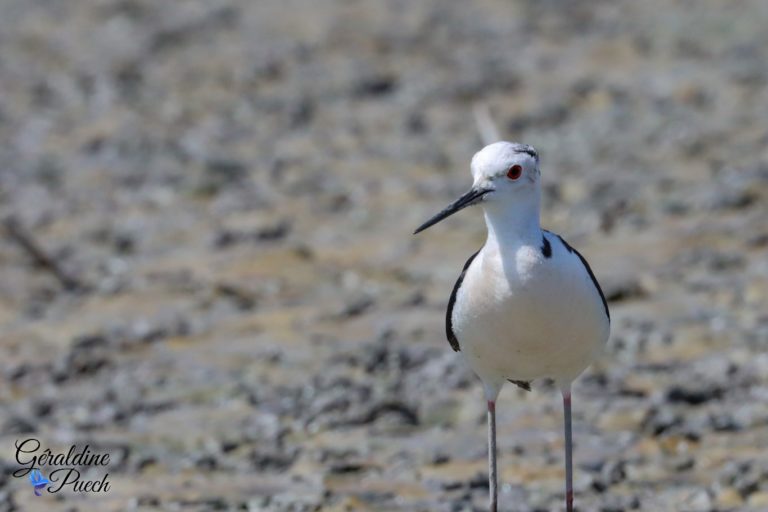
(526, 305)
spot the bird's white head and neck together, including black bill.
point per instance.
(506, 181)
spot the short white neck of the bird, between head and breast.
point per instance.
(515, 223)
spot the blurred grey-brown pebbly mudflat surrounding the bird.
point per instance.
(207, 268)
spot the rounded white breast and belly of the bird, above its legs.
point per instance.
(532, 318)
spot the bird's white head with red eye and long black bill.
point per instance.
(502, 172)
